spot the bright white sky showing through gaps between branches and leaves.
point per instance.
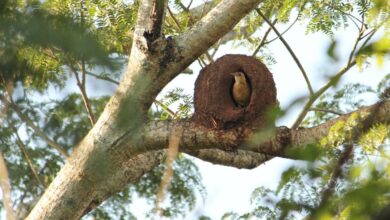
(229, 189)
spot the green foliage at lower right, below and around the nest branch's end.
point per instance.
(362, 188)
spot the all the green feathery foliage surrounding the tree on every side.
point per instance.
(46, 45)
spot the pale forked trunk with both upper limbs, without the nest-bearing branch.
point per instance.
(113, 153)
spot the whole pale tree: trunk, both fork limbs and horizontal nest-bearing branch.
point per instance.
(122, 145)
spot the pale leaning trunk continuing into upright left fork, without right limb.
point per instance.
(99, 166)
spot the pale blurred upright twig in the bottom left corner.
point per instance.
(6, 188)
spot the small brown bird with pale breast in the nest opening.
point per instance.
(241, 90)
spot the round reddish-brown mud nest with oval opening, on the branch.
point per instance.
(214, 104)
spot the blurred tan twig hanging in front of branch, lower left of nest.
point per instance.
(172, 151)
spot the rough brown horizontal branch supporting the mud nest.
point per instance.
(196, 138)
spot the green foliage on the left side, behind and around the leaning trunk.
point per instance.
(43, 45)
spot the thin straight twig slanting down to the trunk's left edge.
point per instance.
(37, 131)
